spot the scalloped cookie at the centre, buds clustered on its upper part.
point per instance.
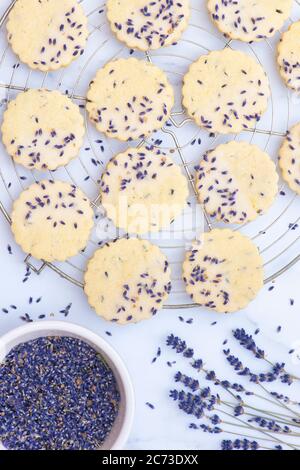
(143, 191)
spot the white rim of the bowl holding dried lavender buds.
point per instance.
(88, 335)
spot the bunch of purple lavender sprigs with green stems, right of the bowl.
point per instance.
(222, 407)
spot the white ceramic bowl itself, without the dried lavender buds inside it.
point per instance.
(121, 429)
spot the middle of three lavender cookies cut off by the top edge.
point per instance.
(146, 24)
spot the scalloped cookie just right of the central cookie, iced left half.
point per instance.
(236, 182)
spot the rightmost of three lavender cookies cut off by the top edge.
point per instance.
(249, 20)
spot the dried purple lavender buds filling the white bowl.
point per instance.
(56, 394)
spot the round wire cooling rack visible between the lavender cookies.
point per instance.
(276, 233)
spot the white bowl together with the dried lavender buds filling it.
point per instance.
(62, 387)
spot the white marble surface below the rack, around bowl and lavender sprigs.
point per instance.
(163, 427)
